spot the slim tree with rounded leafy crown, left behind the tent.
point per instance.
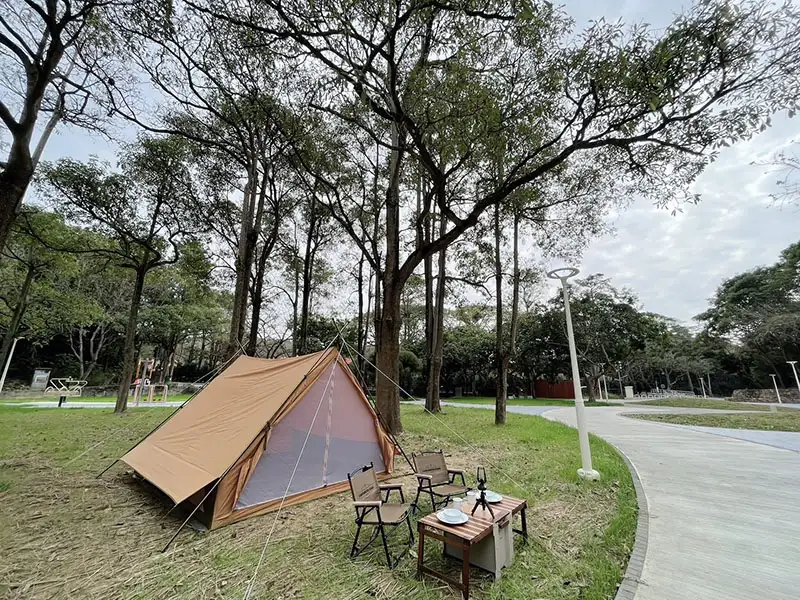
(141, 212)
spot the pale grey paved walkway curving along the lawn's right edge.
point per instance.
(723, 511)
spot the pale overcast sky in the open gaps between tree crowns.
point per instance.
(673, 263)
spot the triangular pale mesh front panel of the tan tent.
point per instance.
(341, 431)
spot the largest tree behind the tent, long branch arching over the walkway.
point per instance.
(449, 82)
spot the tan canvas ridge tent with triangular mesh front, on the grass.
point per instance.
(237, 442)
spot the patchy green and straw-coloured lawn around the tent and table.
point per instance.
(65, 534)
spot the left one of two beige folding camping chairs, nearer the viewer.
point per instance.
(372, 509)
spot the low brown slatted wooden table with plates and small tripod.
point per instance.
(478, 528)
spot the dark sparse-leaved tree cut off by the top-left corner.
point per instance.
(51, 55)
